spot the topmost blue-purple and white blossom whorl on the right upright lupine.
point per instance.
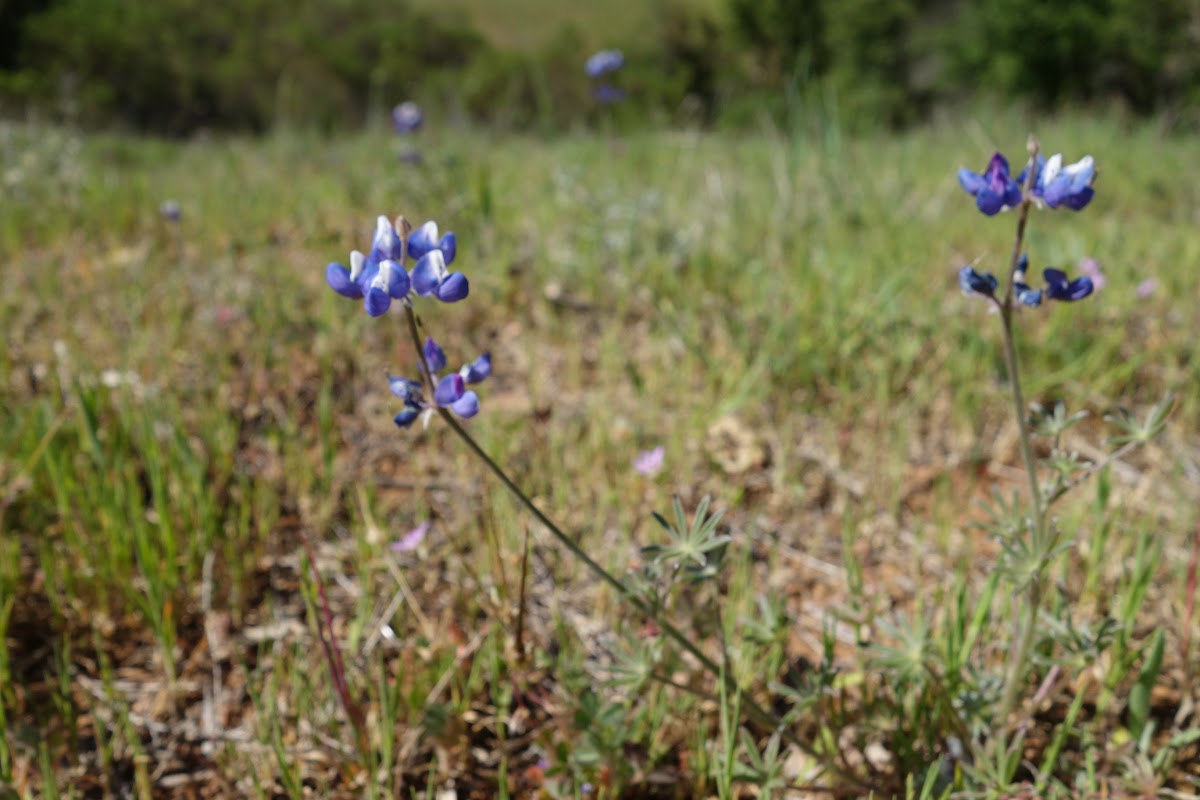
(1054, 185)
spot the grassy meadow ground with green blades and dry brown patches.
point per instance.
(199, 461)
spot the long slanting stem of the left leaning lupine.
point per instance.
(761, 715)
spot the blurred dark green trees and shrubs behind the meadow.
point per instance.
(184, 67)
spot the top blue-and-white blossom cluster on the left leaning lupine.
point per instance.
(381, 276)
